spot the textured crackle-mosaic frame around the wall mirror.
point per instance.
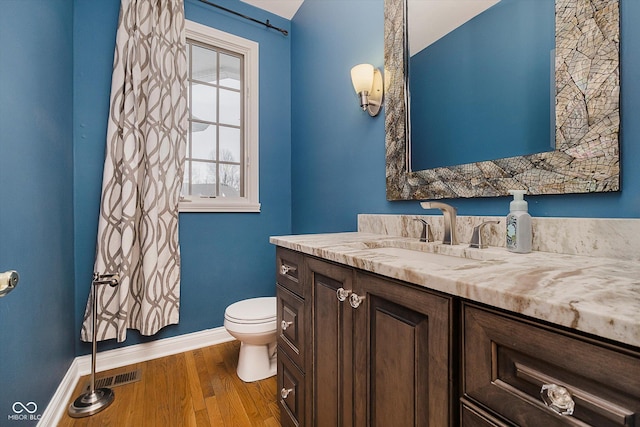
(586, 154)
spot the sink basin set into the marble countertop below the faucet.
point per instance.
(435, 252)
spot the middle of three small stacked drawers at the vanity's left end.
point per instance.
(291, 325)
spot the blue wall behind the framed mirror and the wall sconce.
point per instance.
(338, 151)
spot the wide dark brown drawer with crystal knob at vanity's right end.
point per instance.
(506, 362)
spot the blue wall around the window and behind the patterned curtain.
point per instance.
(225, 257)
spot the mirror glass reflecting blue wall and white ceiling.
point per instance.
(484, 90)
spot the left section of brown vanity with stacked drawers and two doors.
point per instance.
(379, 350)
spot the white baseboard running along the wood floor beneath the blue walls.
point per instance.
(124, 356)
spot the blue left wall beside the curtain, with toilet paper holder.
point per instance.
(36, 209)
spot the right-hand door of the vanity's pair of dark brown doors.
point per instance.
(402, 342)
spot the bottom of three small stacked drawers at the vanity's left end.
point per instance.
(291, 390)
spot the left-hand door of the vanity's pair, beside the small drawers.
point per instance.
(332, 342)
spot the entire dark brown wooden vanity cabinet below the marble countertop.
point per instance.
(360, 349)
